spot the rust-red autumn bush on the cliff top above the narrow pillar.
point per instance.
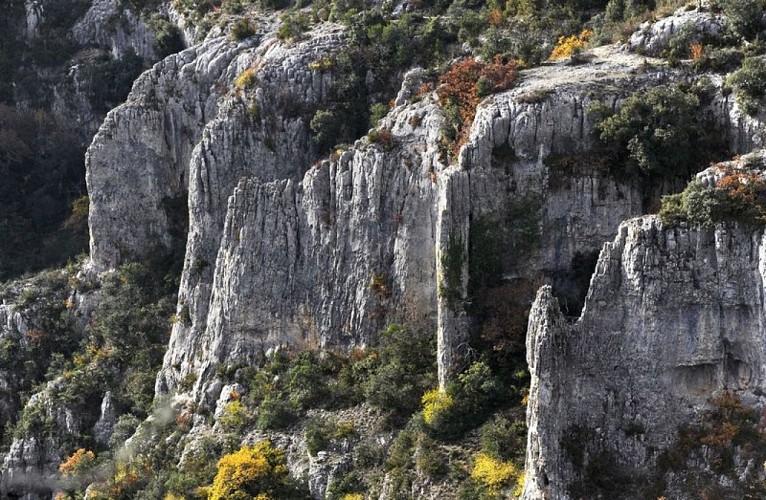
(465, 83)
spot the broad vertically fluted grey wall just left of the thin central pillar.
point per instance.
(323, 262)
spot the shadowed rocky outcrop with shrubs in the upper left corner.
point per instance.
(70, 83)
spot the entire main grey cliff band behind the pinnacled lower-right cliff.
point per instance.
(280, 250)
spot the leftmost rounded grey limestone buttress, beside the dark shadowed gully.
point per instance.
(138, 161)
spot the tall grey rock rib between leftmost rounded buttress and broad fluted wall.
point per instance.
(262, 130)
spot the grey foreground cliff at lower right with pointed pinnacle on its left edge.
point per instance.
(672, 316)
